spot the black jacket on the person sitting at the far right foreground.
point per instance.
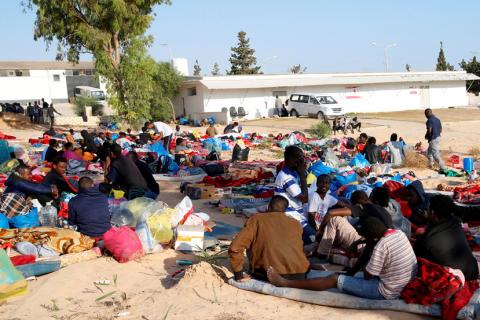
(445, 244)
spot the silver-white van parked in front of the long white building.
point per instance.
(313, 105)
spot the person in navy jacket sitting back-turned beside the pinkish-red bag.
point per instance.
(89, 210)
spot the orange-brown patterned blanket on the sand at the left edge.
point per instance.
(61, 240)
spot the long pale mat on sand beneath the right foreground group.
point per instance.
(334, 298)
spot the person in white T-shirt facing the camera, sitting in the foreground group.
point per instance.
(320, 201)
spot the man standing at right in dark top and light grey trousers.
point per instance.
(434, 131)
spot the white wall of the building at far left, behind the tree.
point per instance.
(40, 84)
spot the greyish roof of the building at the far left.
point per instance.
(45, 65)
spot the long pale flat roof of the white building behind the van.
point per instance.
(302, 80)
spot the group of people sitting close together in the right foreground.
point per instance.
(300, 224)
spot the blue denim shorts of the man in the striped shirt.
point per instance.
(360, 287)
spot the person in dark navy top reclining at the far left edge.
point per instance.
(20, 182)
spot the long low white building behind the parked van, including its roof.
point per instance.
(200, 97)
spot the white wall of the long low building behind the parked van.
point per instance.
(359, 98)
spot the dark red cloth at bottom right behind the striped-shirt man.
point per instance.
(435, 284)
